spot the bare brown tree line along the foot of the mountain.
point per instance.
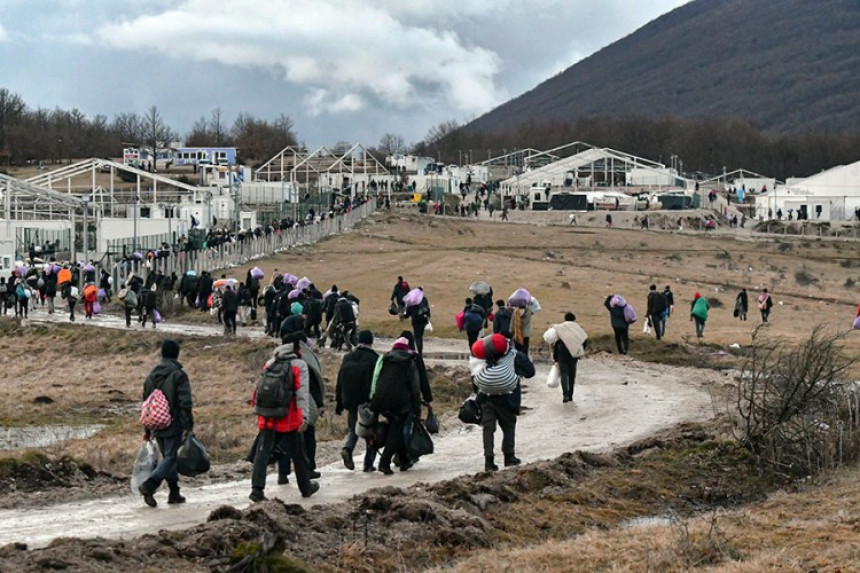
(705, 145)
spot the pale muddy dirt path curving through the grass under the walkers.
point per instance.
(617, 401)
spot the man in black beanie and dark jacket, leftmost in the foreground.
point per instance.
(168, 377)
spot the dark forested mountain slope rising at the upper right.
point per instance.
(786, 66)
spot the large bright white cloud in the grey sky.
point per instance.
(343, 53)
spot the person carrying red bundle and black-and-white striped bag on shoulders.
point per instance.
(497, 381)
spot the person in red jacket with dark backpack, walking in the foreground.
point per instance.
(284, 427)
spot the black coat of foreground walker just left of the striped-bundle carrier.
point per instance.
(398, 387)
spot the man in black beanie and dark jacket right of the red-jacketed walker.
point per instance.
(352, 390)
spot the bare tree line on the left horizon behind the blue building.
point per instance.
(33, 135)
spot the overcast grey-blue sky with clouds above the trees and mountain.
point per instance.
(342, 70)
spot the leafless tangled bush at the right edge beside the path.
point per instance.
(795, 408)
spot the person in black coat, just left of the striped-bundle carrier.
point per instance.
(397, 396)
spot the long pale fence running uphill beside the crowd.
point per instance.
(234, 254)
